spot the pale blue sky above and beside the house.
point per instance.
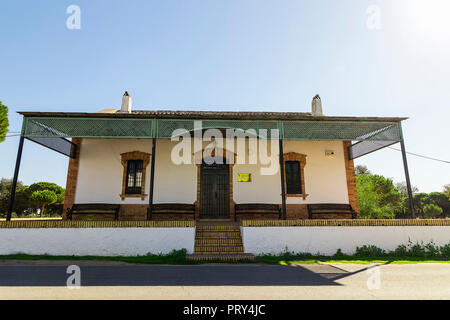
(232, 55)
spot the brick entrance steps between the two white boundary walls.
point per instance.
(219, 241)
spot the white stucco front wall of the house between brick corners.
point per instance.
(100, 174)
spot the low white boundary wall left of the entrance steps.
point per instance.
(95, 241)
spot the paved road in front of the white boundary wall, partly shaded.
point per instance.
(107, 280)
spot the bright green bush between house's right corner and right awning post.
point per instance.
(377, 197)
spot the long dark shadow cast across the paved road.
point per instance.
(184, 275)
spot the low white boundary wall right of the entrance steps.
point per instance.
(327, 240)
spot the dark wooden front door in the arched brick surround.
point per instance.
(214, 191)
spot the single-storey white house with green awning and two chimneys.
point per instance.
(200, 165)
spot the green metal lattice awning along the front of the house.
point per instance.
(306, 128)
